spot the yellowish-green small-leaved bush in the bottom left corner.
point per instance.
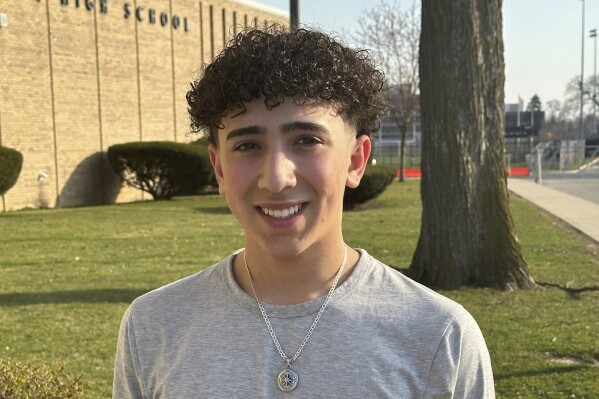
(27, 381)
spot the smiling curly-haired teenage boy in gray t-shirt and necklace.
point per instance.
(297, 312)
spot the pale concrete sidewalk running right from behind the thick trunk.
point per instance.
(581, 214)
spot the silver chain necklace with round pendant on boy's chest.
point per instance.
(288, 379)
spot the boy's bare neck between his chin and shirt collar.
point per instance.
(292, 280)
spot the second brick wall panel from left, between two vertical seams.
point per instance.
(76, 104)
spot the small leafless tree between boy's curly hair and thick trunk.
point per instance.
(394, 34)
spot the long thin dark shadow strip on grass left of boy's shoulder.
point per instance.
(82, 296)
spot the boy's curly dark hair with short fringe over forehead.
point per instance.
(305, 66)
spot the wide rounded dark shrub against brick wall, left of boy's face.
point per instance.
(163, 169)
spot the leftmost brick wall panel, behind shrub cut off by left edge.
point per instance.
(25, 102)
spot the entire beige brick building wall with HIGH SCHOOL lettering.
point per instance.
(74, 81)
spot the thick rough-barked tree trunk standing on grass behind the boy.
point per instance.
(467, 234)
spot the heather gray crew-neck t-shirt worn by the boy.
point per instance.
(381, 336)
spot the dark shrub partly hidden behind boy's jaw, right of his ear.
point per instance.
(373, 183)
